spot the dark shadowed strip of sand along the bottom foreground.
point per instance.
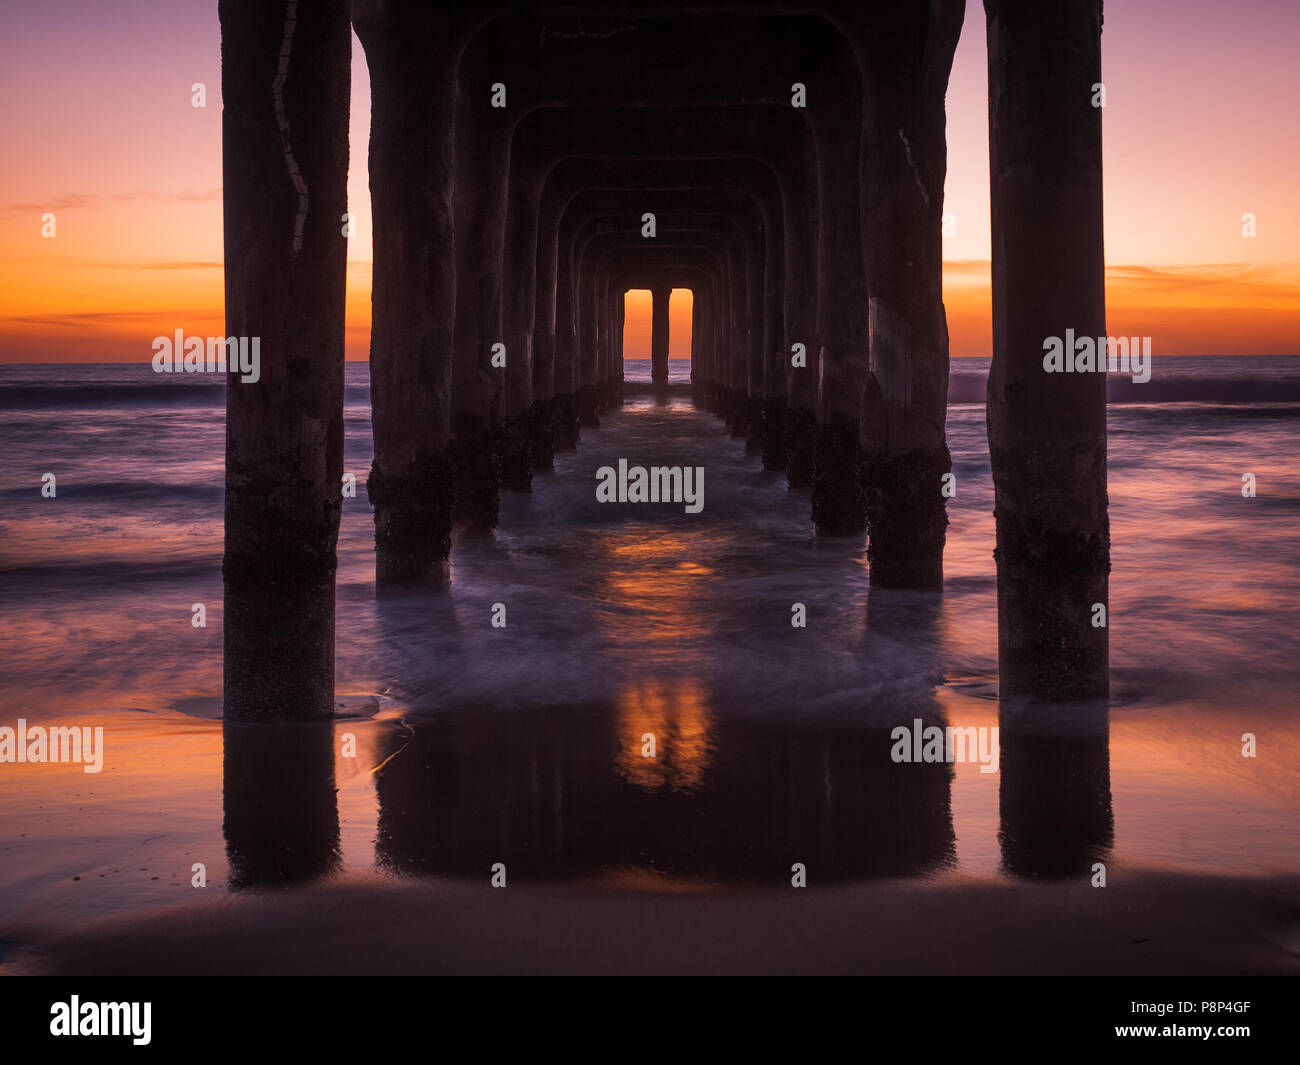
(1143, 924)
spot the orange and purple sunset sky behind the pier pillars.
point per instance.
(99, 129)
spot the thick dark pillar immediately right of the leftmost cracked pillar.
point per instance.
(413, 292)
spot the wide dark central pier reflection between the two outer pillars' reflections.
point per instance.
(551, 794)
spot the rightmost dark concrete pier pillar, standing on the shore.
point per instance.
(1047, 432)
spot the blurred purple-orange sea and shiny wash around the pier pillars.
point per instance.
(675, 624)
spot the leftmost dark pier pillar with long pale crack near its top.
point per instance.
(285, 73)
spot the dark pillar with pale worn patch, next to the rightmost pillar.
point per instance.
(908, 54)
